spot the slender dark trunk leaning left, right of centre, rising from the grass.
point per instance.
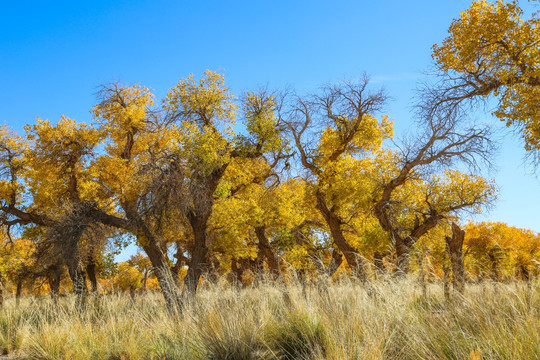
(333, 222)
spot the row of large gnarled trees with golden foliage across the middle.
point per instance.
(206, 182)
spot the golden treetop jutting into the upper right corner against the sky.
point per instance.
(492, 50)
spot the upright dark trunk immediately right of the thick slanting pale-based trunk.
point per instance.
(199, 225)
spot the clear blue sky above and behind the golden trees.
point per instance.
(54, 54)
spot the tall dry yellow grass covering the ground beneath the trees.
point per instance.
(386, 320)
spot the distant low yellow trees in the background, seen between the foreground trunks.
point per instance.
(489, 250)
